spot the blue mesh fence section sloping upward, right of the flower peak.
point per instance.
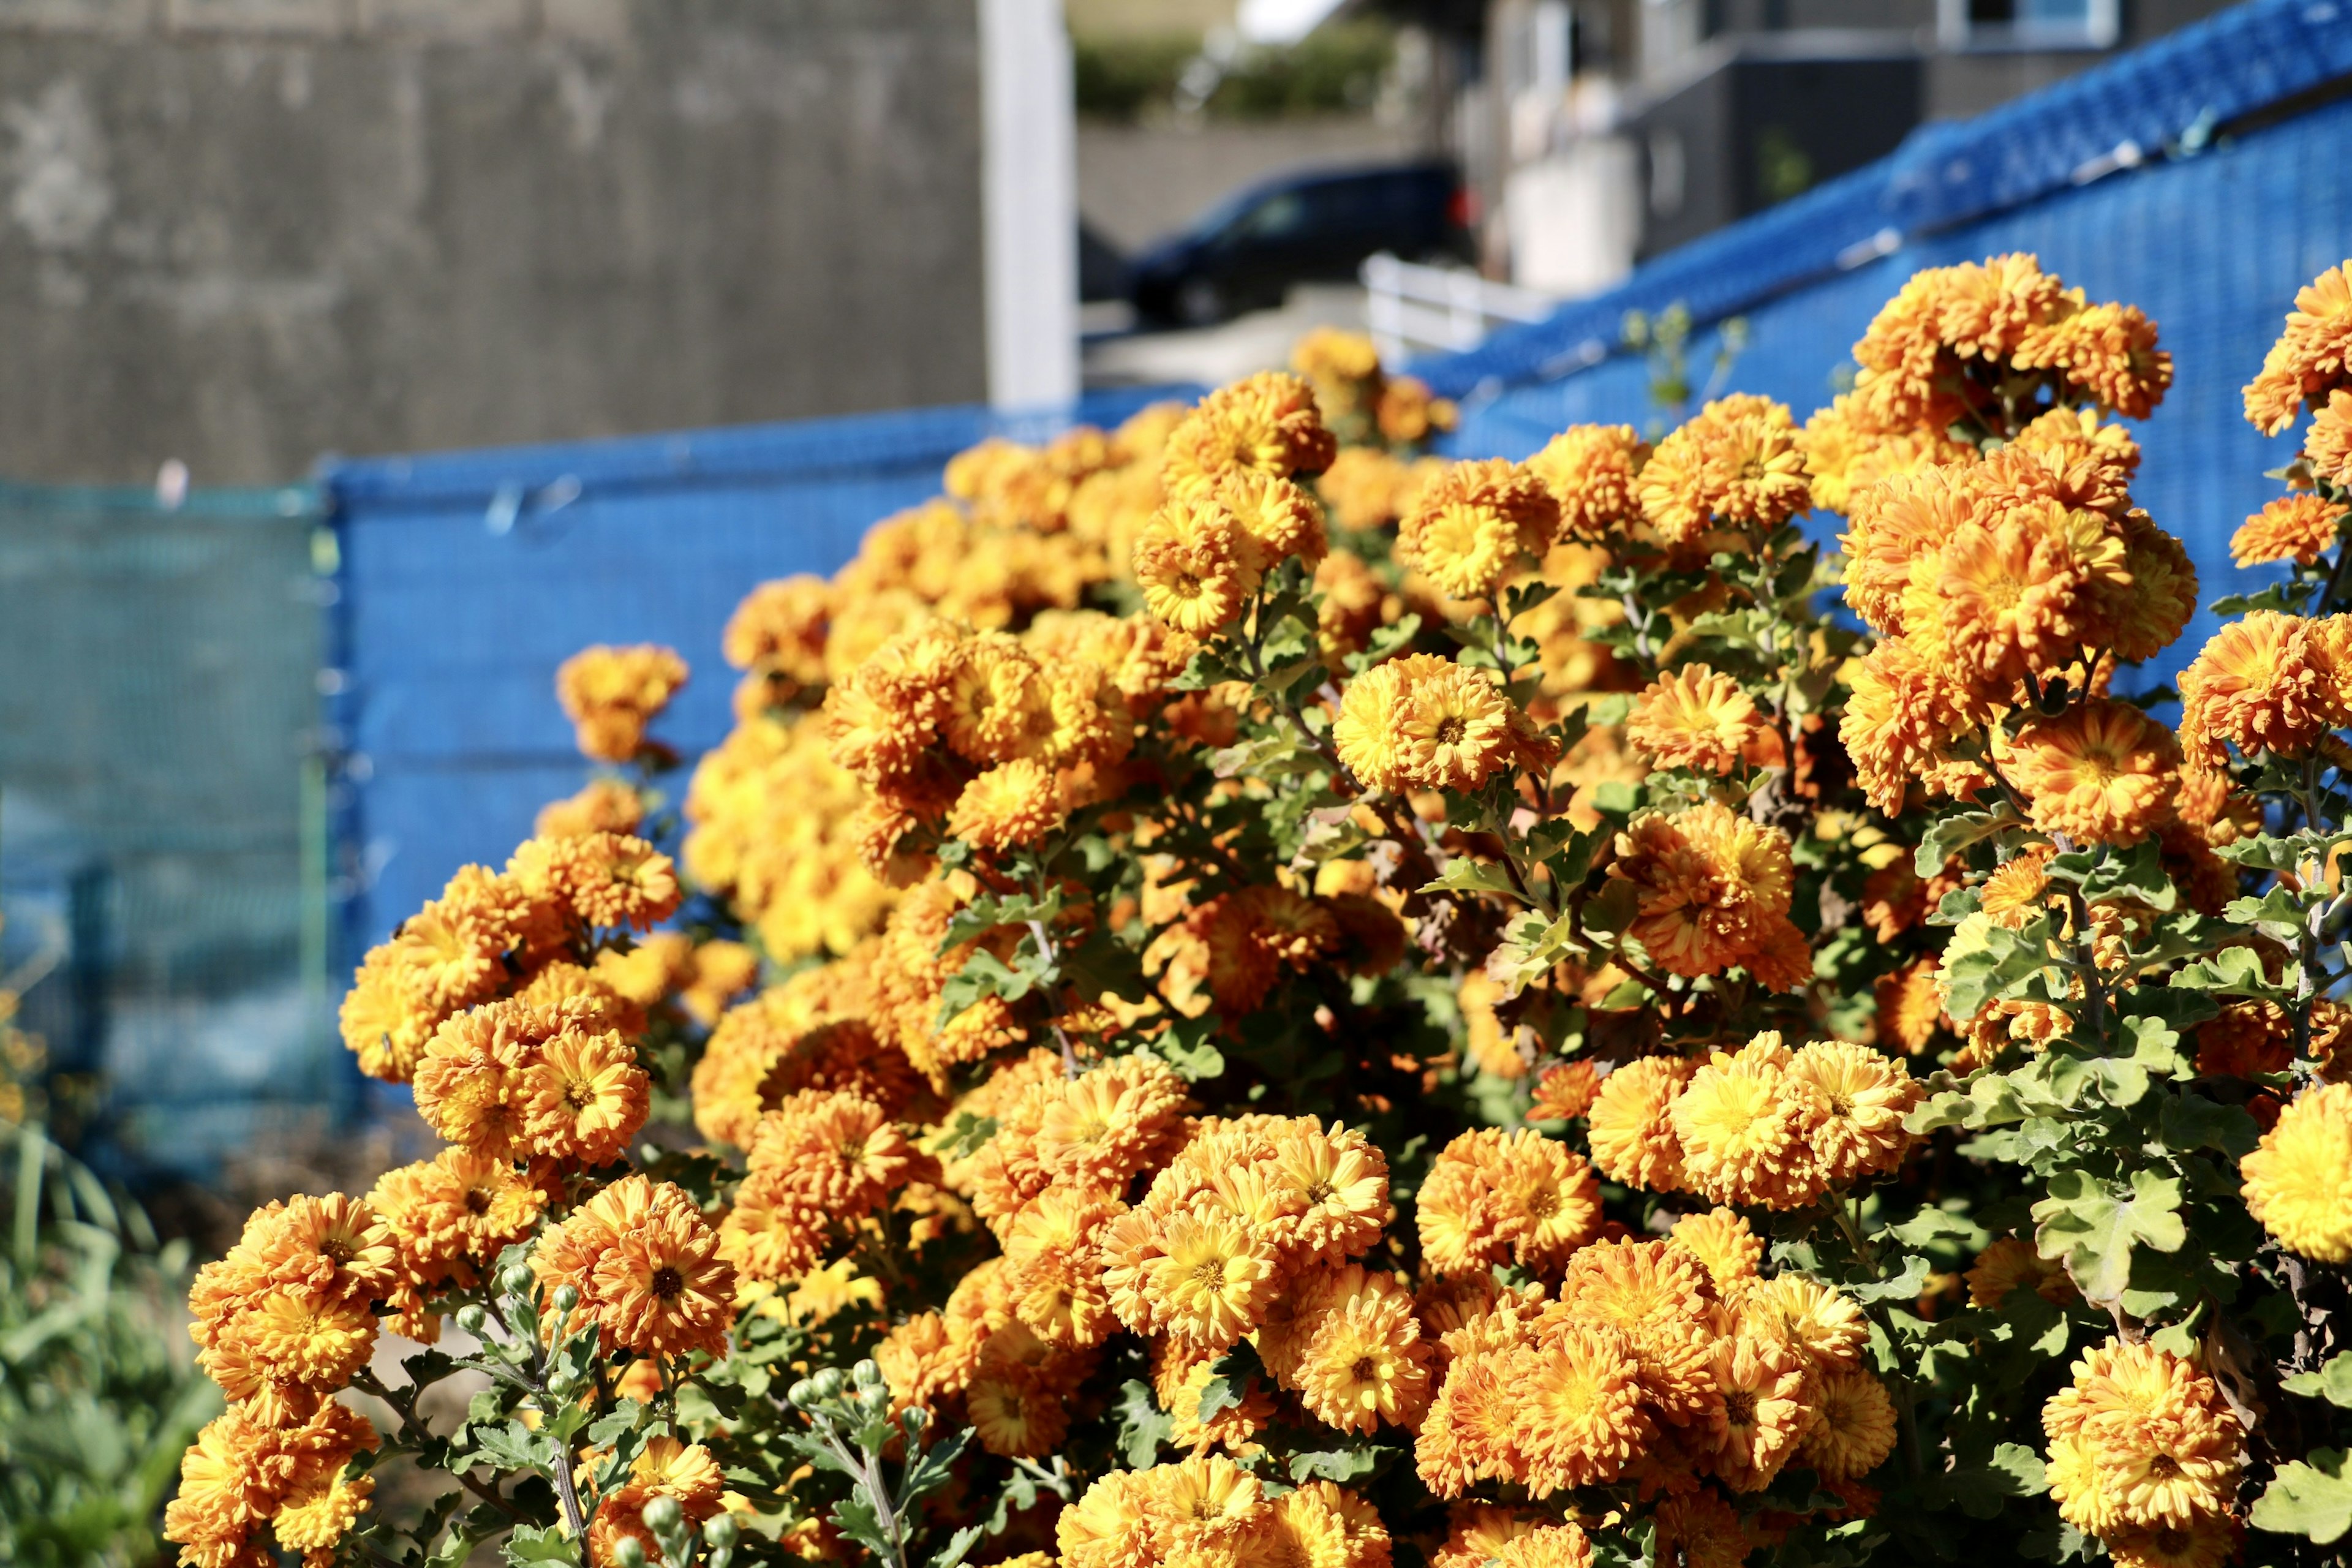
(2179, 180)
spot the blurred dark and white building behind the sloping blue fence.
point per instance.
(1612, 130)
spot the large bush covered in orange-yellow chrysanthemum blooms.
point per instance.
(1330, 1007)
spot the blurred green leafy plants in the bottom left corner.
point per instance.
(98, 1381)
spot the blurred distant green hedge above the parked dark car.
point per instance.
(1337, 69)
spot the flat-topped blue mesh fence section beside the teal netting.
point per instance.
(467, 579)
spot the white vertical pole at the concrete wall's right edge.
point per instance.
(1029, 203)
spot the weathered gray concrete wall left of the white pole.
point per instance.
(250, 232)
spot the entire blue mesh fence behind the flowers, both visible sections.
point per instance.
(2200, 180)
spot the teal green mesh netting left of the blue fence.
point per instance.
(161, 822)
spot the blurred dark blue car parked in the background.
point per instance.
(1248, 250)
